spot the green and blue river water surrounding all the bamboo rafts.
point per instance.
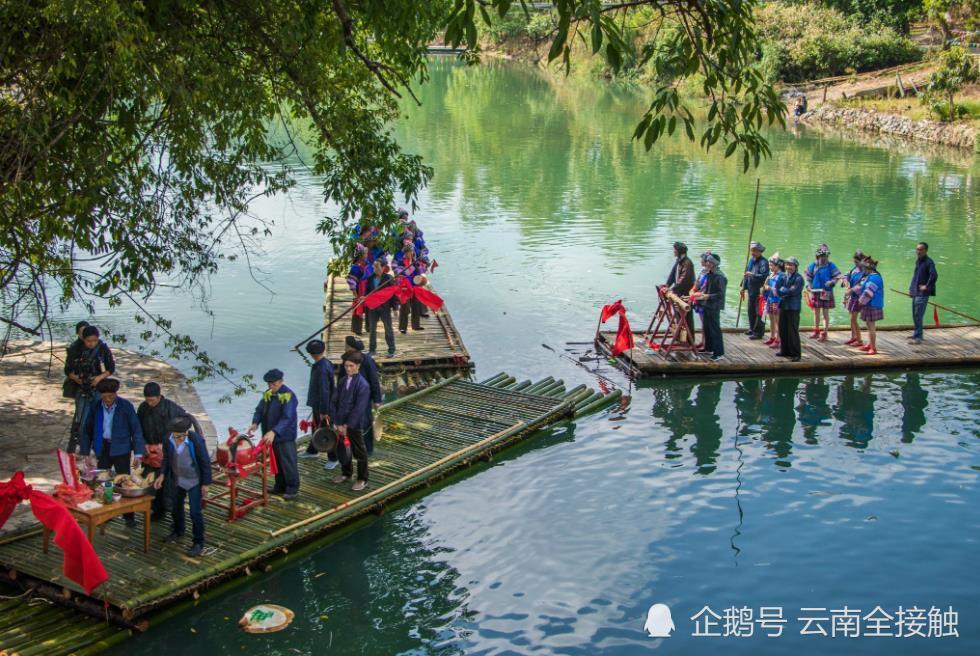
(837, 494)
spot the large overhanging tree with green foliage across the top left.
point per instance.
(133, 135)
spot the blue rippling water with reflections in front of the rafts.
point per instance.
(835, 491)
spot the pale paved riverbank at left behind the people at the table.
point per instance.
(35, 419)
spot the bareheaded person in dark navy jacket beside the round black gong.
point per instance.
(350, 411)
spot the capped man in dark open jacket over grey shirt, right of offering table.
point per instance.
(186, 472)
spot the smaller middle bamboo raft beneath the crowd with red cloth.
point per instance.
(437, 346)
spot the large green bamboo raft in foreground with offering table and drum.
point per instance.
(426, 435)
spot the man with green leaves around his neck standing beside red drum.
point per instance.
(276, 414)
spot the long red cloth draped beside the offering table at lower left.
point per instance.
(81, 564)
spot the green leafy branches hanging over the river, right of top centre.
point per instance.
(715, 42)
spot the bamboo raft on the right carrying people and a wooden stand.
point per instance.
(942, 347)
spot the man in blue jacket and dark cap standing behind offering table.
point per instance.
(112, 436)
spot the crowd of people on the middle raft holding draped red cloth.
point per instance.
(375, 267)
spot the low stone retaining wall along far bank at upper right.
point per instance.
(960, 135)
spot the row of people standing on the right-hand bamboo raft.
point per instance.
(777, 289)
